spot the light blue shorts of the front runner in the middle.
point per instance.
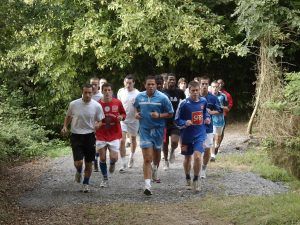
(151, 137)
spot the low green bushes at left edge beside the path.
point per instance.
(20, 136)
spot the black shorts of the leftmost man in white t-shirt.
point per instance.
(83, 146)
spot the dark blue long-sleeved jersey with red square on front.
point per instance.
(196, 112)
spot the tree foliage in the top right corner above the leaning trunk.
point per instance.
(272, 21)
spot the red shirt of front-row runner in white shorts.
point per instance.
(110, 129)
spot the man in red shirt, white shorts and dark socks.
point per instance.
(110, 133)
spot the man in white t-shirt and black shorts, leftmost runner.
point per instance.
(84, 115)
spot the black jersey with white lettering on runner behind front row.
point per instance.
(175, 96)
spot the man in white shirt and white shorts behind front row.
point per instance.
(130, 125)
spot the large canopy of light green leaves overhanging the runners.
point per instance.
(63, 43)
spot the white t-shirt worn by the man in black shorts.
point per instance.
(84, 115)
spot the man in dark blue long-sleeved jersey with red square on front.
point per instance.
(191, 117)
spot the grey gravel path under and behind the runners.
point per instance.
(56, 186)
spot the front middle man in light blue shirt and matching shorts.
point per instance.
(152, 108)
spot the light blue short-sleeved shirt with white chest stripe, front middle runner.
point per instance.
(158, 102)
